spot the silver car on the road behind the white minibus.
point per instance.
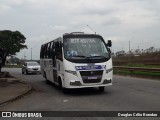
(30, 67)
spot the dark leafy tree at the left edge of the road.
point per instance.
(11, 42)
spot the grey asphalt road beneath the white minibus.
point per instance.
(126, 94)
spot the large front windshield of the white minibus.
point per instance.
(85, 48)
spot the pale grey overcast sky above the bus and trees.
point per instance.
(121, 21)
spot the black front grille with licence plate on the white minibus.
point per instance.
(91, 76)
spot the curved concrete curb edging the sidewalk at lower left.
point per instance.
(20, 95)
